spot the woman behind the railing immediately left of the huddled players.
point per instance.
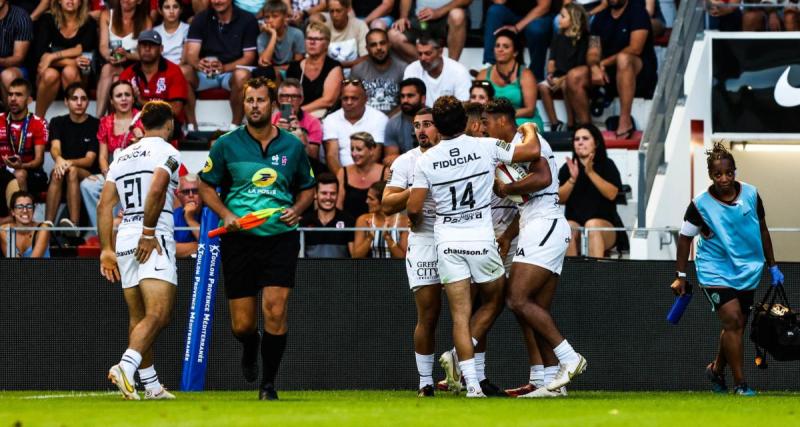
(380, 244)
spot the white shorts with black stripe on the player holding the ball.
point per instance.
(544, 242)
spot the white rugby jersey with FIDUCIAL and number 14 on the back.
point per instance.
(459, 174)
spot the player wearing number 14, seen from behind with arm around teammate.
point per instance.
(459, 173)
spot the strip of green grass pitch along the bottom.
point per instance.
(399, 408)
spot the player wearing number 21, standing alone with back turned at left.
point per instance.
(143, 178)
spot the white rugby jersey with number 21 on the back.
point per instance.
(132, 171)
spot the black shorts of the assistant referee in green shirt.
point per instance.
(249, 262)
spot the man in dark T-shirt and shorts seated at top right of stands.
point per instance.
(627, 67)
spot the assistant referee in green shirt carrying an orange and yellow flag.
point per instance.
(259, 166)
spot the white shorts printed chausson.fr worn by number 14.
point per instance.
(461, 260)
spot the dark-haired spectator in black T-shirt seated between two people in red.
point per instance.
(73, 145)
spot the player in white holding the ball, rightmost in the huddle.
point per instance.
(543, 240)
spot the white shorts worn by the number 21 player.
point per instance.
(161, 267)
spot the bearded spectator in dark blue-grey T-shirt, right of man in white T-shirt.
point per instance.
(399, 136)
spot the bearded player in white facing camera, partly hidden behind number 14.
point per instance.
(423, 275)
